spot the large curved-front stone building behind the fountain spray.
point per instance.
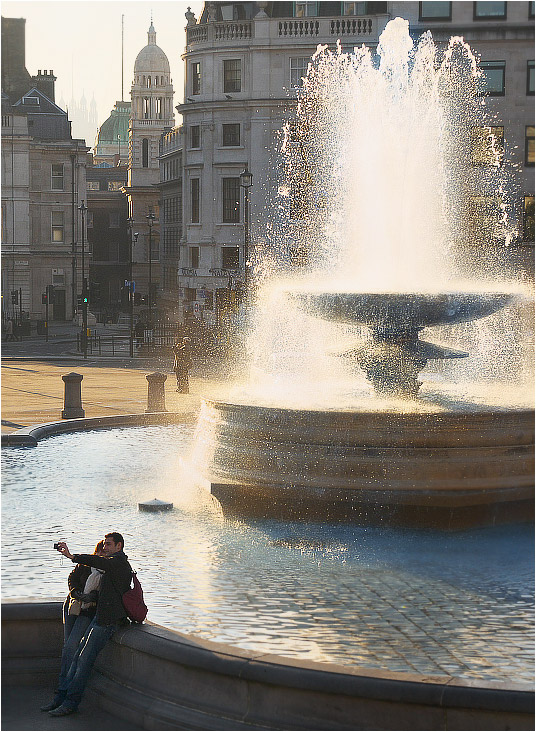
(243, 63)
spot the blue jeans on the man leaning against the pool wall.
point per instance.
(72, 686)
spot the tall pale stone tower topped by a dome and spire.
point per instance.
(151, 114)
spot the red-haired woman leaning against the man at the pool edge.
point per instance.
(78, 612)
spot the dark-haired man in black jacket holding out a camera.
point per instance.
(110, 614)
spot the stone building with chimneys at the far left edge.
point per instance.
(43, 182)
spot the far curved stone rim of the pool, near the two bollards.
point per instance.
(29, 436)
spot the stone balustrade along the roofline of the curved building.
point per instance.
(288, 29)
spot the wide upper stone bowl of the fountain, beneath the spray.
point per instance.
(400, 311)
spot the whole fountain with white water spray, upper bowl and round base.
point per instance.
(307, 441)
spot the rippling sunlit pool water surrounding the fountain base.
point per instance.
(392, 599)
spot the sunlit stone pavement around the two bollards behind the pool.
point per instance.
(33, 390)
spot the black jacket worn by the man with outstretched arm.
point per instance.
(115, 582)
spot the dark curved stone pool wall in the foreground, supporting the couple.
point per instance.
(163, 679)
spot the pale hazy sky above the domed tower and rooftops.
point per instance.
(80, 41)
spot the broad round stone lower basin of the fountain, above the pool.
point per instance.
(443, 470)
